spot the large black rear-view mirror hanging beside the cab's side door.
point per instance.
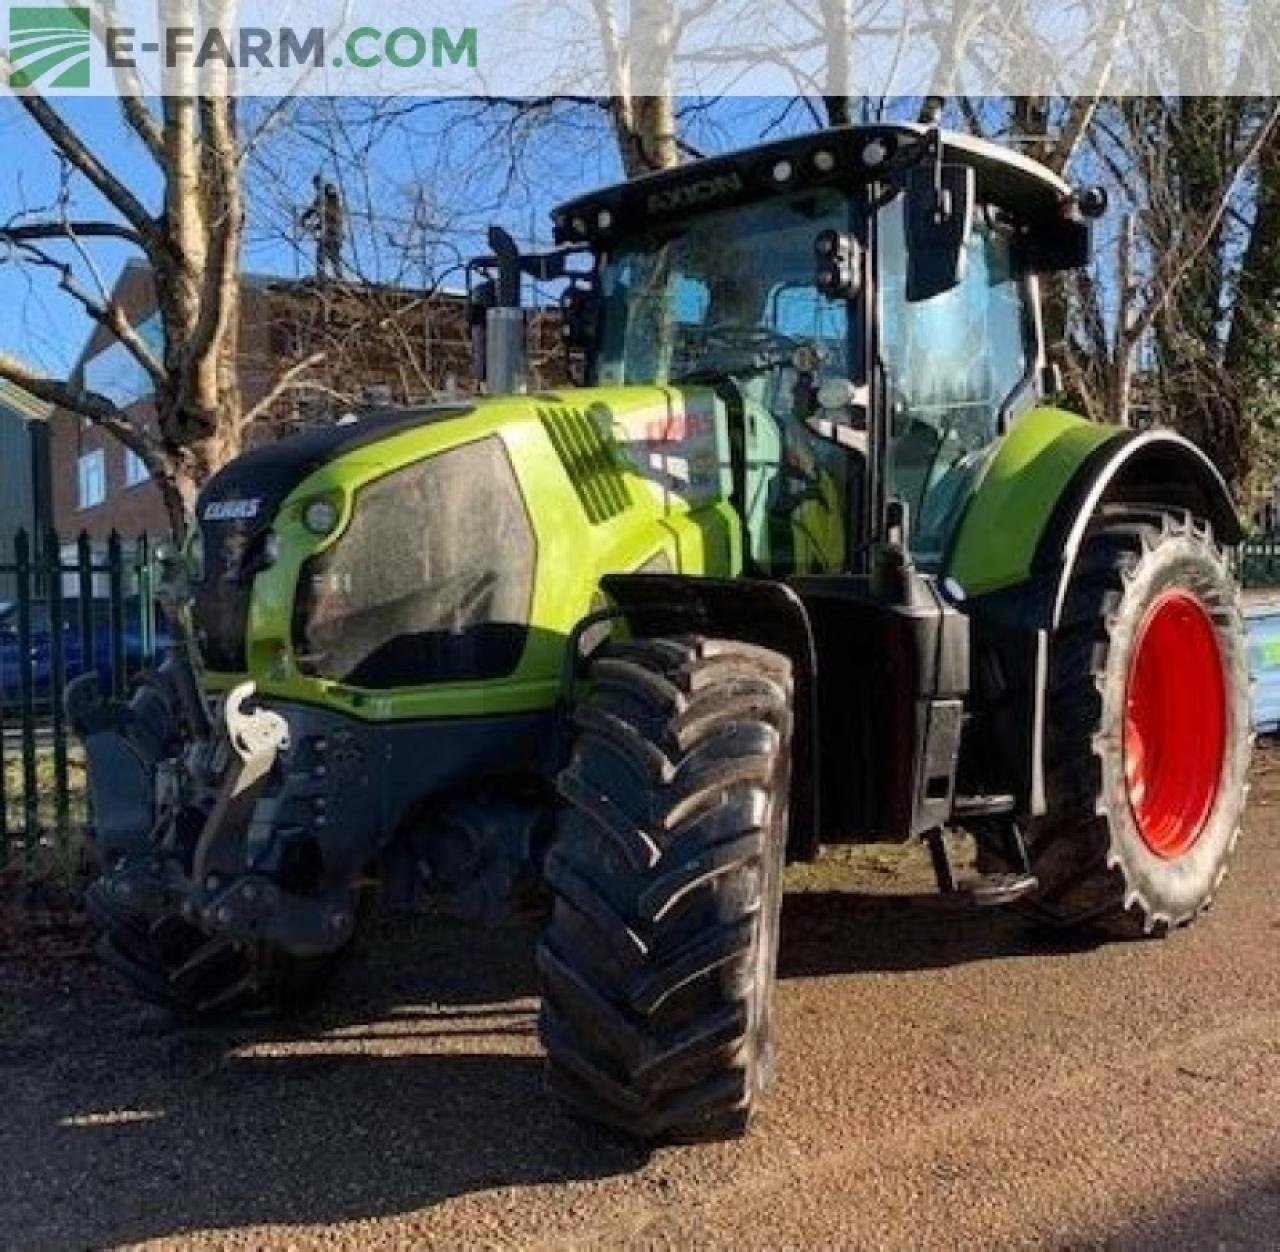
(940, 205)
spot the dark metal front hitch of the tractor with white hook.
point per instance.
(185, 829)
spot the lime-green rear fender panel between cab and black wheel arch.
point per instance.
(1032, 468)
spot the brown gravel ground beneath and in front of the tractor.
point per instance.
(948, 1080)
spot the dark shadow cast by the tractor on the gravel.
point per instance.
(419, 1080)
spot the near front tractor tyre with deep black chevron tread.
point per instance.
(666, 872)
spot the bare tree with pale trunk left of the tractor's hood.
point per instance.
(191, 243)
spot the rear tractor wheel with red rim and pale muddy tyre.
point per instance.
(1148, 733)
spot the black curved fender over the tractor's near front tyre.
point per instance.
(751, 611)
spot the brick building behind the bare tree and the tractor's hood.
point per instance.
(381, 345)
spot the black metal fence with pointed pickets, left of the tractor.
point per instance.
(66, 609)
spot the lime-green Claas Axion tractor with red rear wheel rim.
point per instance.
(810, 559)
